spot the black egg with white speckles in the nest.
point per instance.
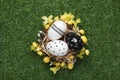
(74, 41)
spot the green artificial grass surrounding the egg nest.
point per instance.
(20, 20)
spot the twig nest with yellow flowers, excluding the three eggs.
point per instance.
(68, 60)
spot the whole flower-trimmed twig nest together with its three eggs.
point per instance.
(61, 42)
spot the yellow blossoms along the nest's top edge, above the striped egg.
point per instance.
(66, 17)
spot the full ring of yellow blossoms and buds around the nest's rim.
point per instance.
(69, 19)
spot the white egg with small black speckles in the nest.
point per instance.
(57, 48)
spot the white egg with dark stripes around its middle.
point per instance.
(57, 30)
